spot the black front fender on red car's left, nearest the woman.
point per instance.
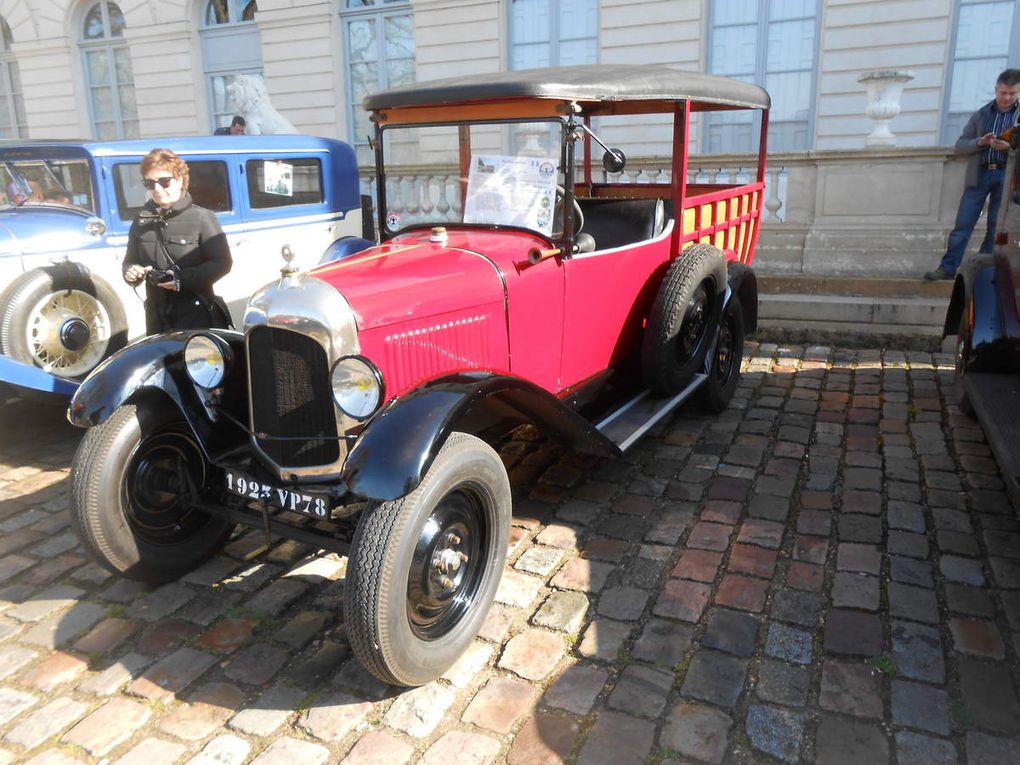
(156, 367)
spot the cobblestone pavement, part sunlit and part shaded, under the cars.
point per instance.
(830, 573)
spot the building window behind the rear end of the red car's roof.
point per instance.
(771, 43)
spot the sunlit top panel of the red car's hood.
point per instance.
(414, 279)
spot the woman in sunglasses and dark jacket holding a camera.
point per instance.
(178, 249)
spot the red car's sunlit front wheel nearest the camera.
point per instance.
(424, 570)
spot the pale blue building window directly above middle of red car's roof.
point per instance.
(553, 33)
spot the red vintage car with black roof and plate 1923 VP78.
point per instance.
(517, 282)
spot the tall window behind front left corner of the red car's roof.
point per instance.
(379, 44)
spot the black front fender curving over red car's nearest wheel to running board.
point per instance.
(396, 449)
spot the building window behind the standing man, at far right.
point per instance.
(986, 43)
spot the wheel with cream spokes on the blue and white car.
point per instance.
(63, 320)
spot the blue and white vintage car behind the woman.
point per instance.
(66, 210)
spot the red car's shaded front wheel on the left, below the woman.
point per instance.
(133, 482)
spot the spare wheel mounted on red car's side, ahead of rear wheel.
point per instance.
(684, 320)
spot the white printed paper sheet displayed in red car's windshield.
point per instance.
(512, 191)
